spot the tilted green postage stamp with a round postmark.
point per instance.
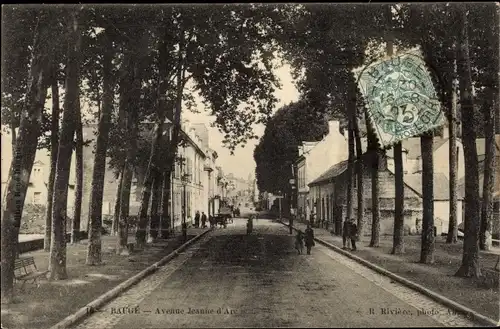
(400, 96)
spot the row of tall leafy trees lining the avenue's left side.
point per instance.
(131, 72)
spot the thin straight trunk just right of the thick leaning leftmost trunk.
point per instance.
(54, 146)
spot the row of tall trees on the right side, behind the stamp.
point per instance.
(460, 46)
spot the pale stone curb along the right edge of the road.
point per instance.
(465, 311)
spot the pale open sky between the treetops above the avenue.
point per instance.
(241, 164)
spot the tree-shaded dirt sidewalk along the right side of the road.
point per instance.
(438, 277)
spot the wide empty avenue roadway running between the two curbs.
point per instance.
(229, 279)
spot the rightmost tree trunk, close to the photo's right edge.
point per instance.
(489, 173)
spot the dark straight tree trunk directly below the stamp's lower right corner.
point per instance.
(427, 245)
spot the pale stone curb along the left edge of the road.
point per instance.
(91, 307)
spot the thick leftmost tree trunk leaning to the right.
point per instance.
(22, 163)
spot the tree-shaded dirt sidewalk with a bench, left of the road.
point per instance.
(50, 302)
